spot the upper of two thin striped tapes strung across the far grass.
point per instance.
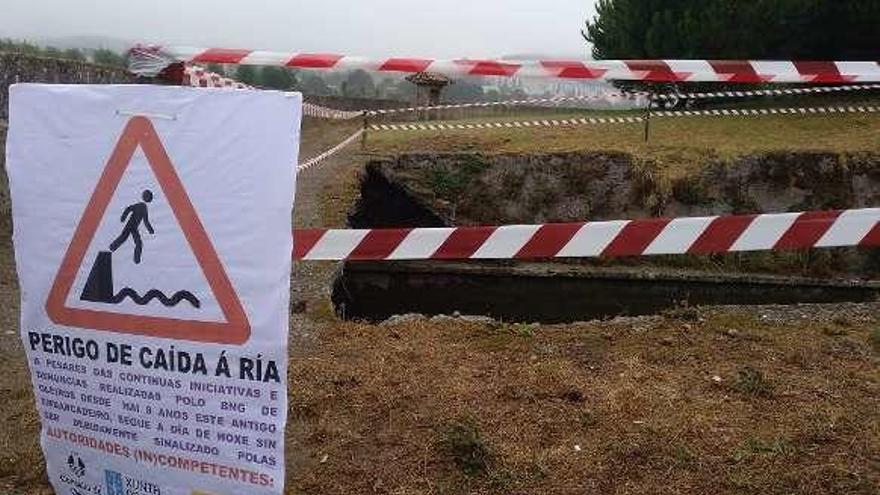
(611, 96)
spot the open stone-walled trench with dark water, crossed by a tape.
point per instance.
(414, 192)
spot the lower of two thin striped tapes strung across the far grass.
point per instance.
(734, 112)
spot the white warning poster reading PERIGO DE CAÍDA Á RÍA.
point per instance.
(152, 232)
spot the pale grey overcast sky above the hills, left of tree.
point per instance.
(433, 28)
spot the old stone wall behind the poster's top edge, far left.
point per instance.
(17, 67)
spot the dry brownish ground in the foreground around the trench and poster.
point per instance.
(699, 400)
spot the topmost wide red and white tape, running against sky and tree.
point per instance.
(730, 71)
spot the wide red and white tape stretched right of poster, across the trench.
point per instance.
(700, 235)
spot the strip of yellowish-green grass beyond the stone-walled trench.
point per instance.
(694, 135)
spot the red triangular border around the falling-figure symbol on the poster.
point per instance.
(139, 132)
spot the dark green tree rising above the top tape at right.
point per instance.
(735, 29)
